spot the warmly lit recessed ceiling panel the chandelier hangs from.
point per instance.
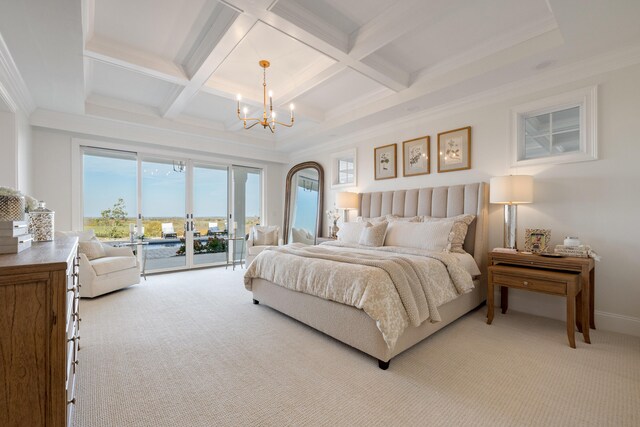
(292, 63)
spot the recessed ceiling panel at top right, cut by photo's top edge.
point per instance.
(465, 27)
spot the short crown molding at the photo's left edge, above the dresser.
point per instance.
(13, 88)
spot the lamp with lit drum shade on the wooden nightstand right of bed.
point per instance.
(511, 191)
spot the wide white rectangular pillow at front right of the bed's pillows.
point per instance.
(433, 236)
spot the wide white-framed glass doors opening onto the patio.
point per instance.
(184, 209)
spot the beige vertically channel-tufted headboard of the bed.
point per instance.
(440, 202)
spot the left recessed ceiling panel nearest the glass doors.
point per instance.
(126, 85)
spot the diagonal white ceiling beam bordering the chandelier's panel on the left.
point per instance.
(224, 34)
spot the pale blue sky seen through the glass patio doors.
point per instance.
(107, 179)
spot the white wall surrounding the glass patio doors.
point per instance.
(54, 177)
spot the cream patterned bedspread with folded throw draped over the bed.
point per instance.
(396, 287)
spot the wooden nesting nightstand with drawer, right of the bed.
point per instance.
(549, 275)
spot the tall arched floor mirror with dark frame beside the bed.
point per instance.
(303, 203)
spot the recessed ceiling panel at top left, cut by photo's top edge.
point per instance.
(166, 28)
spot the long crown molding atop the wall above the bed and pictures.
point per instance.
(571, 73)
